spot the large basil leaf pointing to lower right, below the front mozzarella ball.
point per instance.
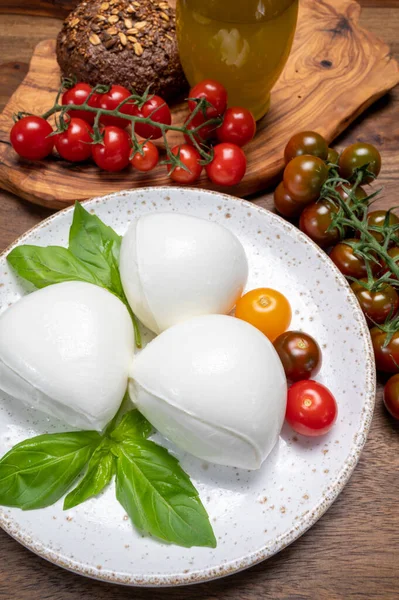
(159, 496)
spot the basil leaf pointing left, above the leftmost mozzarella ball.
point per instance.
(46, 266)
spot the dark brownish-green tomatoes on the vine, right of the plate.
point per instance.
(312, 170)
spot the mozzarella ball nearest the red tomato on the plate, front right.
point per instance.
(215, 387)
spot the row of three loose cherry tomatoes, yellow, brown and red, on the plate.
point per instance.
(311, 408)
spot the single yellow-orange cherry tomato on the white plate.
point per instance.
(267, 310)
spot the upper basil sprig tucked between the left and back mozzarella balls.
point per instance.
(93, 257)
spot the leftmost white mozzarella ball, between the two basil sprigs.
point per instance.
(66, 350)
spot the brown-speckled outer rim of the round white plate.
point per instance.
(308, 519)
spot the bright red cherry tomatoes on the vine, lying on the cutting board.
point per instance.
(116, 147)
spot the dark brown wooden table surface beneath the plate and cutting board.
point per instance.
(352, 552)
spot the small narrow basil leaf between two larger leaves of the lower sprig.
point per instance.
(99, 473)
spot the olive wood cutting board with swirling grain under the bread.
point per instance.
(336, 70)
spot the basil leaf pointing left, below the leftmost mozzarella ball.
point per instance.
(39, 471)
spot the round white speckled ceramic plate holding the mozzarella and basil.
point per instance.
(254, 514)
